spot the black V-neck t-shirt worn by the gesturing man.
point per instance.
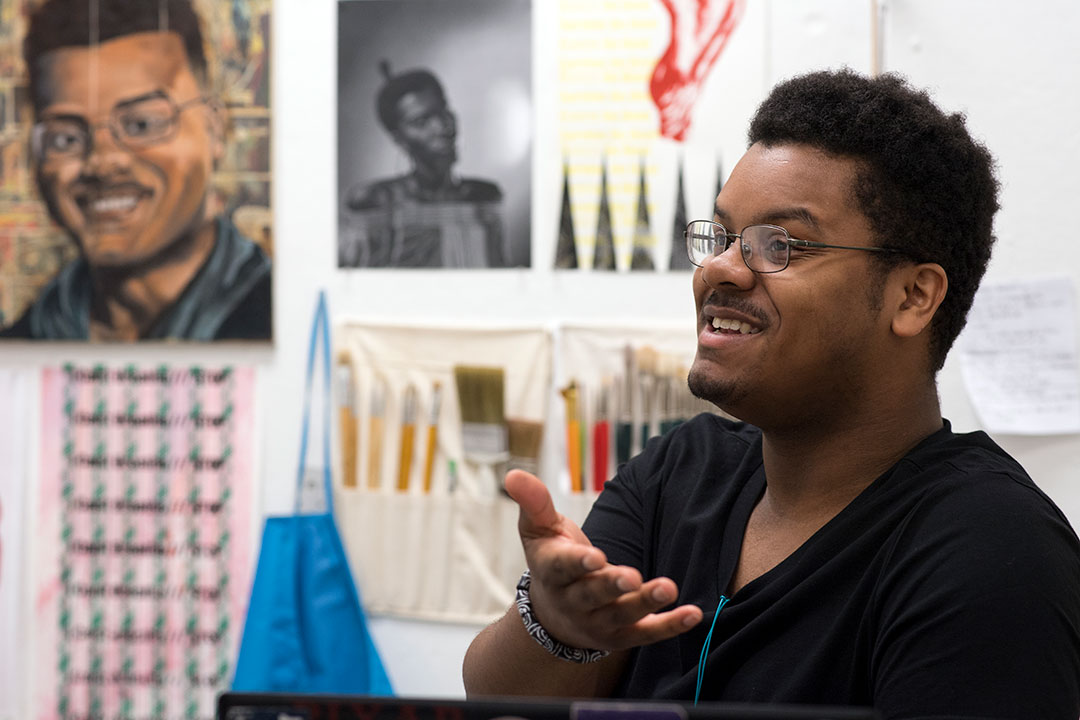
(949, 589)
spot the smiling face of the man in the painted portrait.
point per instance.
(127, 206)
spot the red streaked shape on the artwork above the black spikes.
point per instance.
(699, 32)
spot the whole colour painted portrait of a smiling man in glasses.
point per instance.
(136, 171)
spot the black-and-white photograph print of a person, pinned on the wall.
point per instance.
(435, 133)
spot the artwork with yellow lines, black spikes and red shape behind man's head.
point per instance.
(652, 100)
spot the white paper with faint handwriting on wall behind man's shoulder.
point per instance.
(1019, 358)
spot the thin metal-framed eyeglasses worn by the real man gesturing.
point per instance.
(765, 249)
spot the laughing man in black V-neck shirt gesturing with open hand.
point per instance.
(847, 548)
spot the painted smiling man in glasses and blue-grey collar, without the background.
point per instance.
(125, 145)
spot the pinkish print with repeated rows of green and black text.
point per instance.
(144, 537)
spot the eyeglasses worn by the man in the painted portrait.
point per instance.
(136, 125)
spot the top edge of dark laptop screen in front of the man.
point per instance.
(269, 707)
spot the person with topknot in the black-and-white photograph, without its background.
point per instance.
(429, 218)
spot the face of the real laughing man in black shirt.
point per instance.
(814, 339)
